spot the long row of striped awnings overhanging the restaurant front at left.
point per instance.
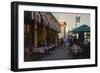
(44, 18)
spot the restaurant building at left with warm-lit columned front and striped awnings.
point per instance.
(40, 27)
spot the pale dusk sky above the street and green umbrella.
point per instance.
(70, 19)
